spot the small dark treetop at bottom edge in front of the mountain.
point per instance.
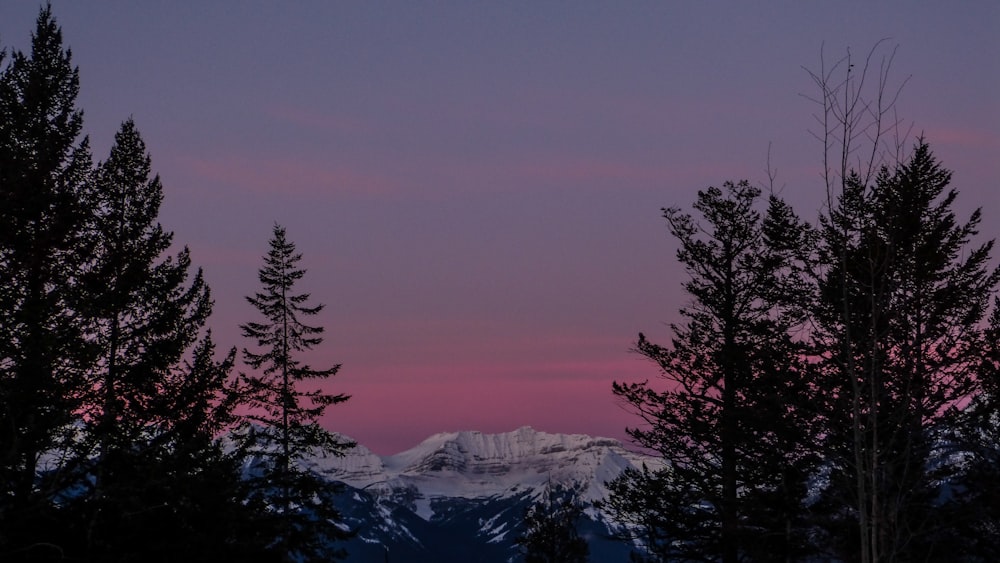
(550, 533)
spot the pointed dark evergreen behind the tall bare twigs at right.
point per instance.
(900, 327)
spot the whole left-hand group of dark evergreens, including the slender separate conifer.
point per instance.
(124, 433)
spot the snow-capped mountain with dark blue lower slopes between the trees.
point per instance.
(460, 496)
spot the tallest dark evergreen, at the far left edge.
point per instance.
(44, 174)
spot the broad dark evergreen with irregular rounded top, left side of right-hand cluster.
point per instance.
(729, 421)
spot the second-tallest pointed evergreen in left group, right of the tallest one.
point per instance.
(157, 483)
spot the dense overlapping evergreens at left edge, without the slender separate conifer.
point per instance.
(109, 442)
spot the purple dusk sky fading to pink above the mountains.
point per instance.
(476, 186)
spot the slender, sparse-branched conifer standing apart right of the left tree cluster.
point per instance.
(285, 429)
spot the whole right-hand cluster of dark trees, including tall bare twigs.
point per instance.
(832, 390)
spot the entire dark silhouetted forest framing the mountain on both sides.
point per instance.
(832, 391)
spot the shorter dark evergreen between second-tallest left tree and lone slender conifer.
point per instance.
(186, 500)
